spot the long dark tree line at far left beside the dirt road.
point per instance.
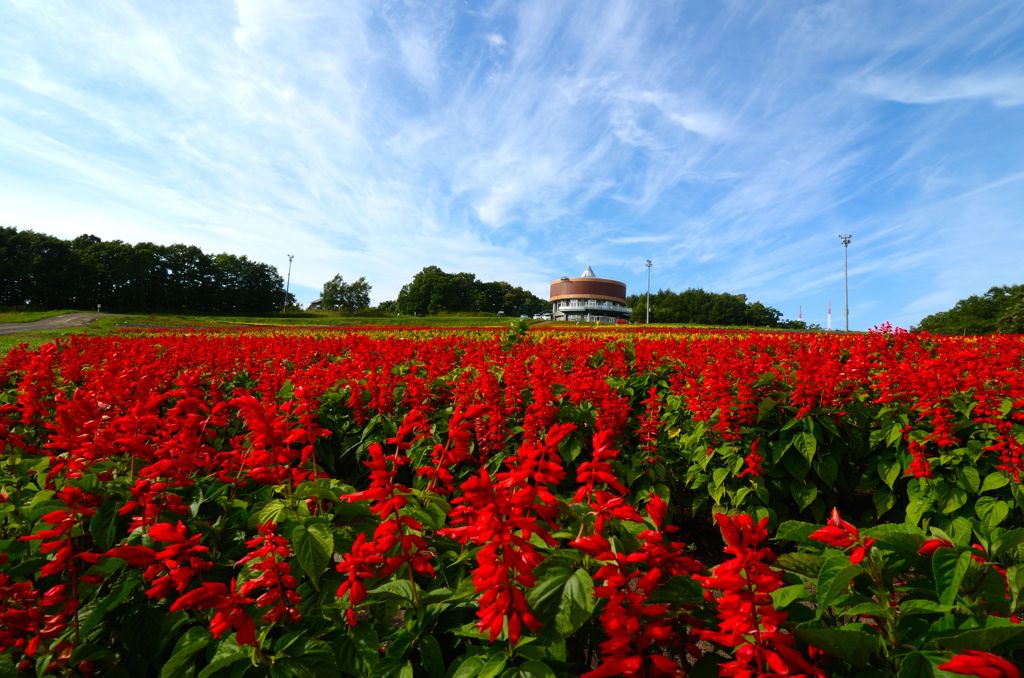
(46, 272)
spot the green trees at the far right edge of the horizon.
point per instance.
(1000, 310)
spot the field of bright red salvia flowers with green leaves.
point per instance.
(514, 504)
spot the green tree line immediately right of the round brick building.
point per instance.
(701, 308)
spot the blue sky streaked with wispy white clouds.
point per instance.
(731, 143)
